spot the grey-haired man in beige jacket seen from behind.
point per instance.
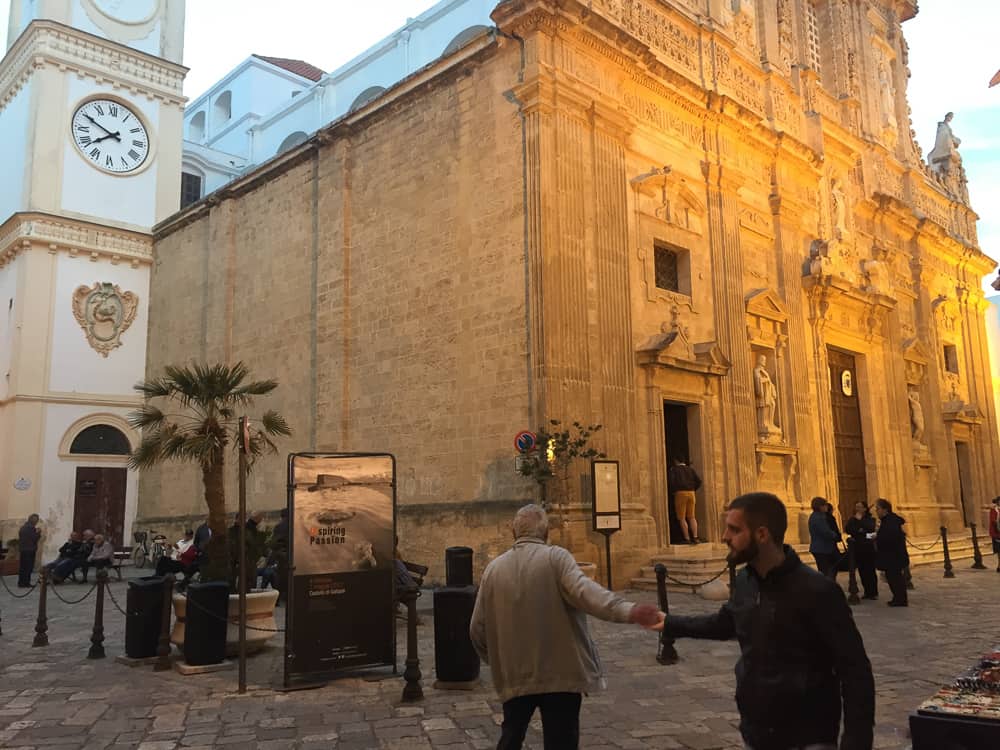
(530, 626)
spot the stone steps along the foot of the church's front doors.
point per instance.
(695, 564)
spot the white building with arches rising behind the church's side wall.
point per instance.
(266, 105)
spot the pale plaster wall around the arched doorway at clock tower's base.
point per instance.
(58, 477)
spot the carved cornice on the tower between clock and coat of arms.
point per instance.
(77, 238)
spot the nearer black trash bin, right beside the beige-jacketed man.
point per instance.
(455, 659)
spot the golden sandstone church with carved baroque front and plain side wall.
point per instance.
(703, 224)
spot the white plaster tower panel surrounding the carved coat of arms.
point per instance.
(75, 366)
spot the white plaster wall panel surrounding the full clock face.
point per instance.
(120, 199)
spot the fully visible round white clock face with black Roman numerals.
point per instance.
(110, 135)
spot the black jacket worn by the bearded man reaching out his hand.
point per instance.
(799, 651)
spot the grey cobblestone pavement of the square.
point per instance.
(55, 697)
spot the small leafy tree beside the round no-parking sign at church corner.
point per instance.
(553, 457)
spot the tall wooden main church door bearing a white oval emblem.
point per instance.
(847, 435)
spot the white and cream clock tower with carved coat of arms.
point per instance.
(91, 114)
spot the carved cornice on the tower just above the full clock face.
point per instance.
(47, 43)
